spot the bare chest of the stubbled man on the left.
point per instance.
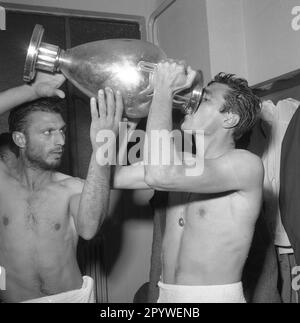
(42, 211)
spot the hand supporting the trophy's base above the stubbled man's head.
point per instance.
(47, 85)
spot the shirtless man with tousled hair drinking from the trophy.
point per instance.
(211, 214)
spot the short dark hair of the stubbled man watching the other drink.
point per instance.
(17, 119)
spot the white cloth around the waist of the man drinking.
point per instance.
(232, 293)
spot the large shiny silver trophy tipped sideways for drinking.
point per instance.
(123, 64)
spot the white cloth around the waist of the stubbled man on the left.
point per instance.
(83, 295)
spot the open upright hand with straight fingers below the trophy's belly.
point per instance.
(106, 120)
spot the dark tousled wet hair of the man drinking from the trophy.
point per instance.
(239, 100)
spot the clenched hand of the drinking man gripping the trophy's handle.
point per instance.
(173, 75)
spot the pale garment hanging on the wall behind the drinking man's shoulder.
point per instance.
(266, 142)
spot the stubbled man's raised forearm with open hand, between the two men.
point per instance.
(90, 208)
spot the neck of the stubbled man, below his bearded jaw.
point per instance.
(31, 176)
